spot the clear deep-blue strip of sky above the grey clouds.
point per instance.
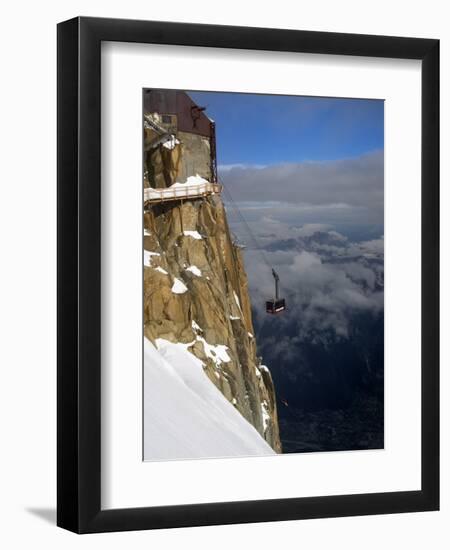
(265, 130)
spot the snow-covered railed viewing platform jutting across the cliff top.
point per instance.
(195, 187)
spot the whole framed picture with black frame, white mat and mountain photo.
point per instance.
(248, 290)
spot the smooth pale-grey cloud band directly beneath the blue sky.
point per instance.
(349, 191)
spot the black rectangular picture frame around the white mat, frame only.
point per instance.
(79, 280)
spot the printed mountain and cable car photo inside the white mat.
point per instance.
(263, 274)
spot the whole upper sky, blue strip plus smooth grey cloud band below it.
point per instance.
(301, 160)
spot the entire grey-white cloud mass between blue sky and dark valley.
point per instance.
(294, 210)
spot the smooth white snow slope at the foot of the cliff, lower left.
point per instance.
(185, 415)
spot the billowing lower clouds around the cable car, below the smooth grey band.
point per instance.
(326, 279)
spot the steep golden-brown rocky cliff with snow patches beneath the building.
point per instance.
(195, 292)
